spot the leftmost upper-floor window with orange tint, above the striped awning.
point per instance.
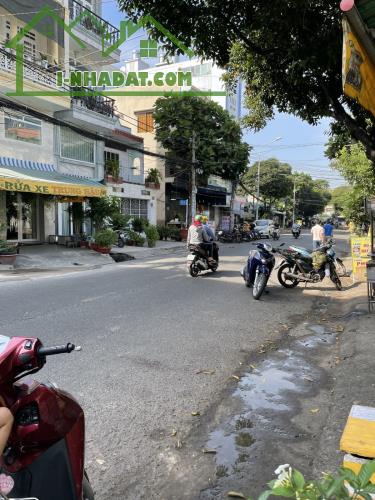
(23, 128)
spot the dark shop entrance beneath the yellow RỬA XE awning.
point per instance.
(22, 214)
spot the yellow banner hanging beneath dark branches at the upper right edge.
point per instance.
(358, 72)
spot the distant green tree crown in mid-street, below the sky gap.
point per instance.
(275, 180)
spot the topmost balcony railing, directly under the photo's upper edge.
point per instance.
(93, 23)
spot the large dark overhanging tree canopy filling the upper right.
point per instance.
(288, 53)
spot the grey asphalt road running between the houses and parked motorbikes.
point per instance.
(146, 329)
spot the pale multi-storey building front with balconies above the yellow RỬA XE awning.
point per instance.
(56, 149)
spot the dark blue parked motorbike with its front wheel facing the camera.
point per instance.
(258, 268)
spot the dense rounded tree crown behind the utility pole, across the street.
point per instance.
(218, 137)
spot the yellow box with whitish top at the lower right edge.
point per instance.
(358, 437)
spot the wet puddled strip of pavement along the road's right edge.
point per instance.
(267, 399)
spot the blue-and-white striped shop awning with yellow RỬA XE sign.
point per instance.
(39, 178)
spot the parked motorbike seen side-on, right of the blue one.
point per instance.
(301, 266)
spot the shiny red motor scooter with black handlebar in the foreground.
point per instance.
(44, 458)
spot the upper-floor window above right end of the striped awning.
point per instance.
(76, 147)
